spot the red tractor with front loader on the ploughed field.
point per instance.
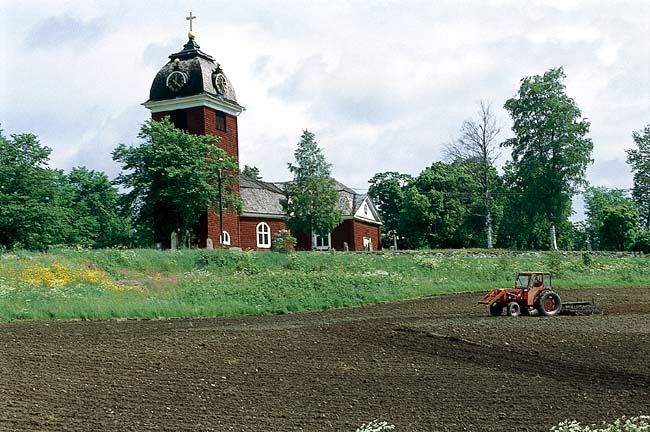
(532, 291)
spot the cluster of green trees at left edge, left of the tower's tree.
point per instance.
(41, 206)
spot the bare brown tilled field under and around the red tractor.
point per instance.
(436, 364)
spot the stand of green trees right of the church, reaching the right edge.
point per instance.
(465, 202)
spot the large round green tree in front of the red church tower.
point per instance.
(172, 178)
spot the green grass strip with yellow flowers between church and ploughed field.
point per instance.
(106, 284)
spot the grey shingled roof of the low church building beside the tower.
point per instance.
(264, 198)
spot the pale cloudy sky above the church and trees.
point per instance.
(383, 84)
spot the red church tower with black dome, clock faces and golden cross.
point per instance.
(194, 92)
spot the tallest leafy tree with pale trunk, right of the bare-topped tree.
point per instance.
(550, 153)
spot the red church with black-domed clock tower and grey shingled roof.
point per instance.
(193, 90)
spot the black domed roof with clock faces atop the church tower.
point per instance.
(200, 73)
